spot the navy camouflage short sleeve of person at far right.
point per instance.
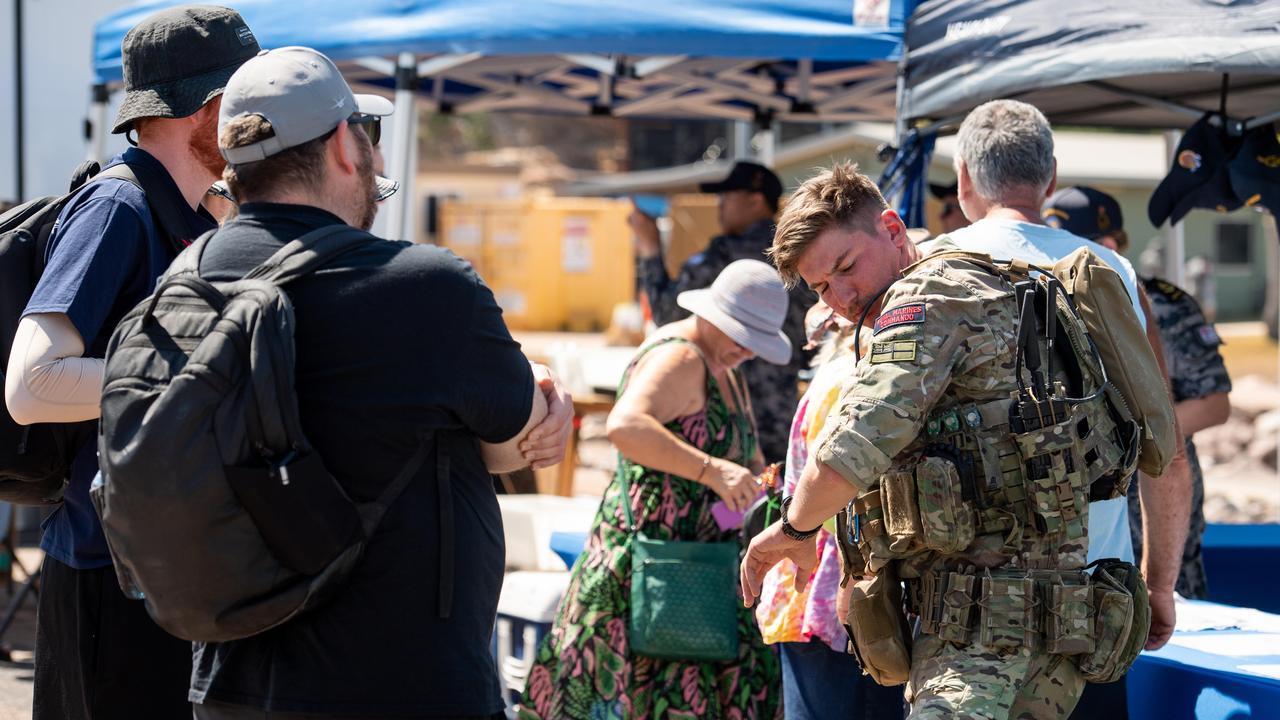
(1196, 367)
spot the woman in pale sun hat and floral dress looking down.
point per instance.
(685, 439)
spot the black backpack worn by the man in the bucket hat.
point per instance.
(35, 461)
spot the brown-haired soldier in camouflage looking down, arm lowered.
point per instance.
(941, 353)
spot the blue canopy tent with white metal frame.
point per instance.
(755, 61)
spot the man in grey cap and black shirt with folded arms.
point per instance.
(394, 340)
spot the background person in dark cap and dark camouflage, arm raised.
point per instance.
(749, 200)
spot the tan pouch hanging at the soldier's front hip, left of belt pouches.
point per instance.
(879, 631)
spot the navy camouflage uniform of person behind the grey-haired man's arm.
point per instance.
(1196, 371)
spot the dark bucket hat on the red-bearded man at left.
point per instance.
(179, 60)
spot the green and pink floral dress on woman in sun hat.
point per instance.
(584, 669)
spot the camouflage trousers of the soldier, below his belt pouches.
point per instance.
(950, 682)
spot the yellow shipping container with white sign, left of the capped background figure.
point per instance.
(554, 263)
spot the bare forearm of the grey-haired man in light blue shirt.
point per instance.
(1167, 504)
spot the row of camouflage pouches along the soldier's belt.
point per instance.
(1100, 621)
